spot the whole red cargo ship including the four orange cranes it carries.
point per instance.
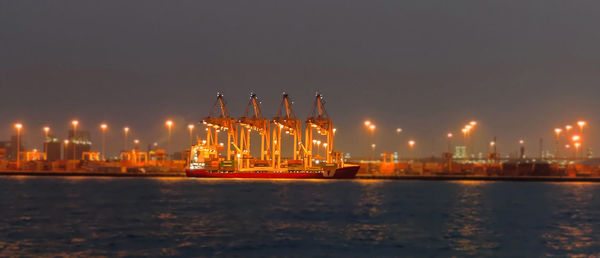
(214, 158)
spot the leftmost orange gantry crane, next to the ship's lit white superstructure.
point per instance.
(219, 120)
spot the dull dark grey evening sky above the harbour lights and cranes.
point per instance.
(520, 68)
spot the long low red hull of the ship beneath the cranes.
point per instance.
(340, 173)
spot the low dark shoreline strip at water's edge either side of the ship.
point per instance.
(360, 177)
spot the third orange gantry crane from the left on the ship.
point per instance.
(288, 123)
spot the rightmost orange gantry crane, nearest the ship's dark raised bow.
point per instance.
(318, 120)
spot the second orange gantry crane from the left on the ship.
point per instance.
(257, 123)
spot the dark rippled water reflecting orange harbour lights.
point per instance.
(195, 217)
